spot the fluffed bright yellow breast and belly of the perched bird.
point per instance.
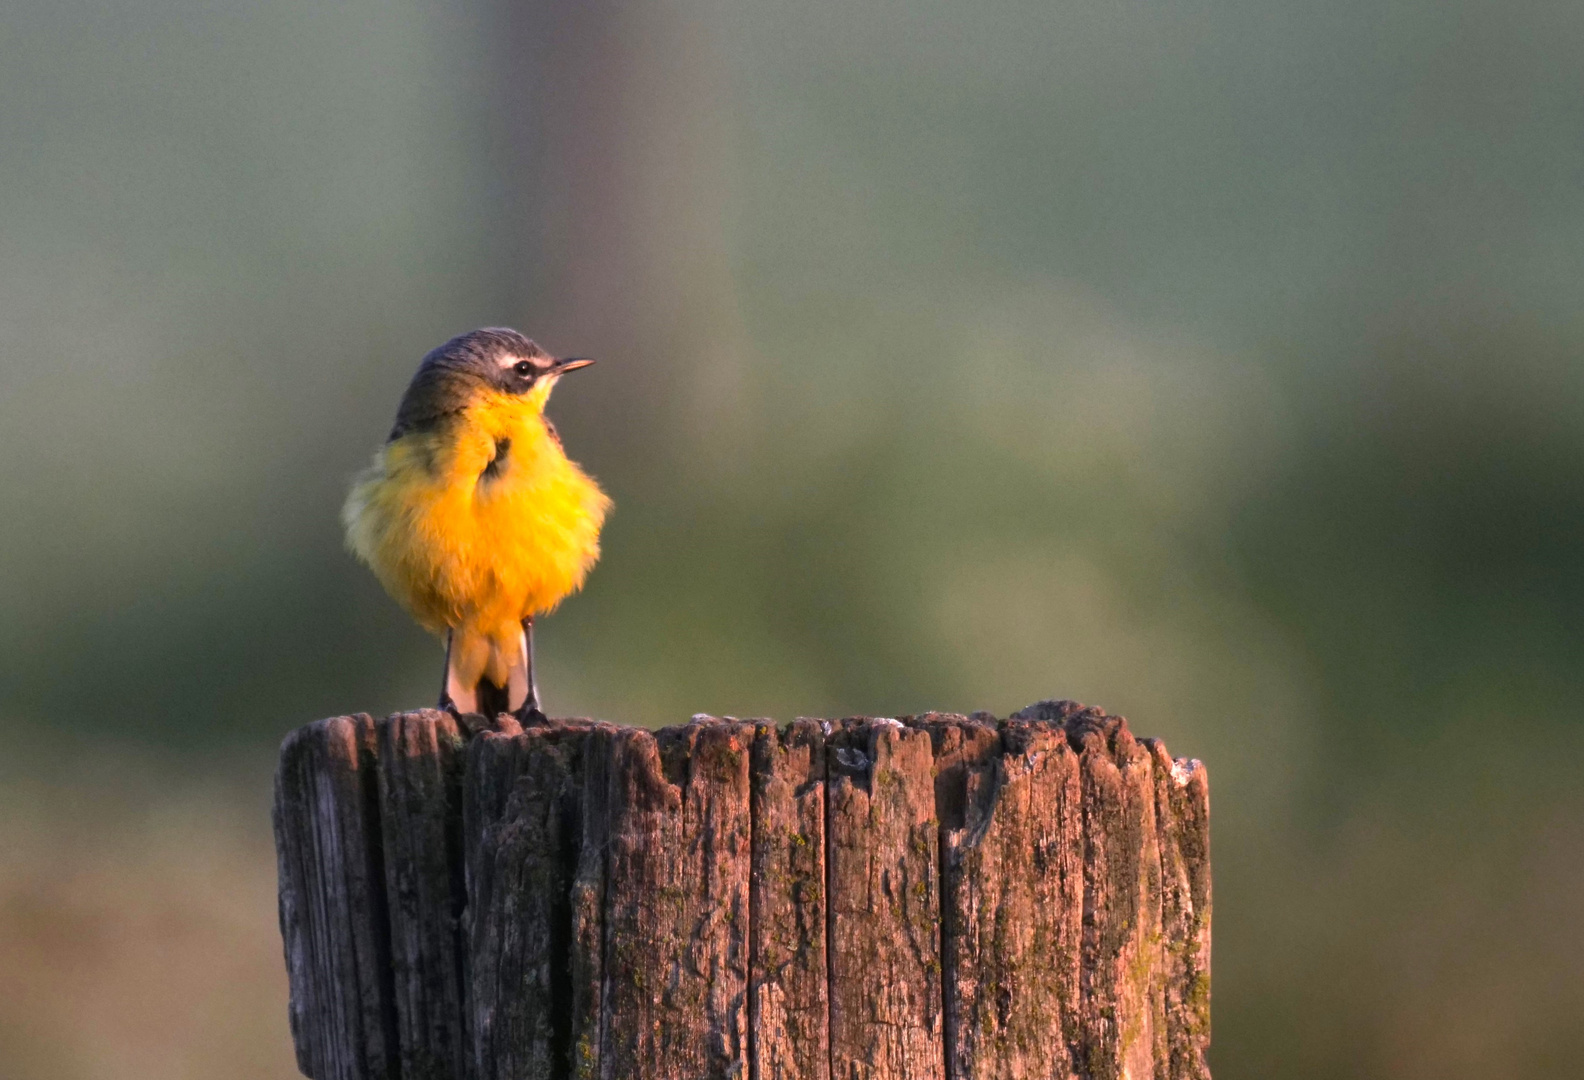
(479, 523)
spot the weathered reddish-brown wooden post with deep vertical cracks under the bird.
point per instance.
(932, 899)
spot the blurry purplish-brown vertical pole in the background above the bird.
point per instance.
(619, 191)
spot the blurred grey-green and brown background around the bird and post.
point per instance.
(1217, 363)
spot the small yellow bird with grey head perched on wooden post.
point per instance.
(474, 519)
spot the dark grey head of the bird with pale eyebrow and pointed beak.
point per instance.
(454, 375)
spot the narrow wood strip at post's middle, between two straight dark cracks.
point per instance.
(788, 1006)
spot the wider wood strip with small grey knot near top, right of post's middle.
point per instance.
(883, 851)
